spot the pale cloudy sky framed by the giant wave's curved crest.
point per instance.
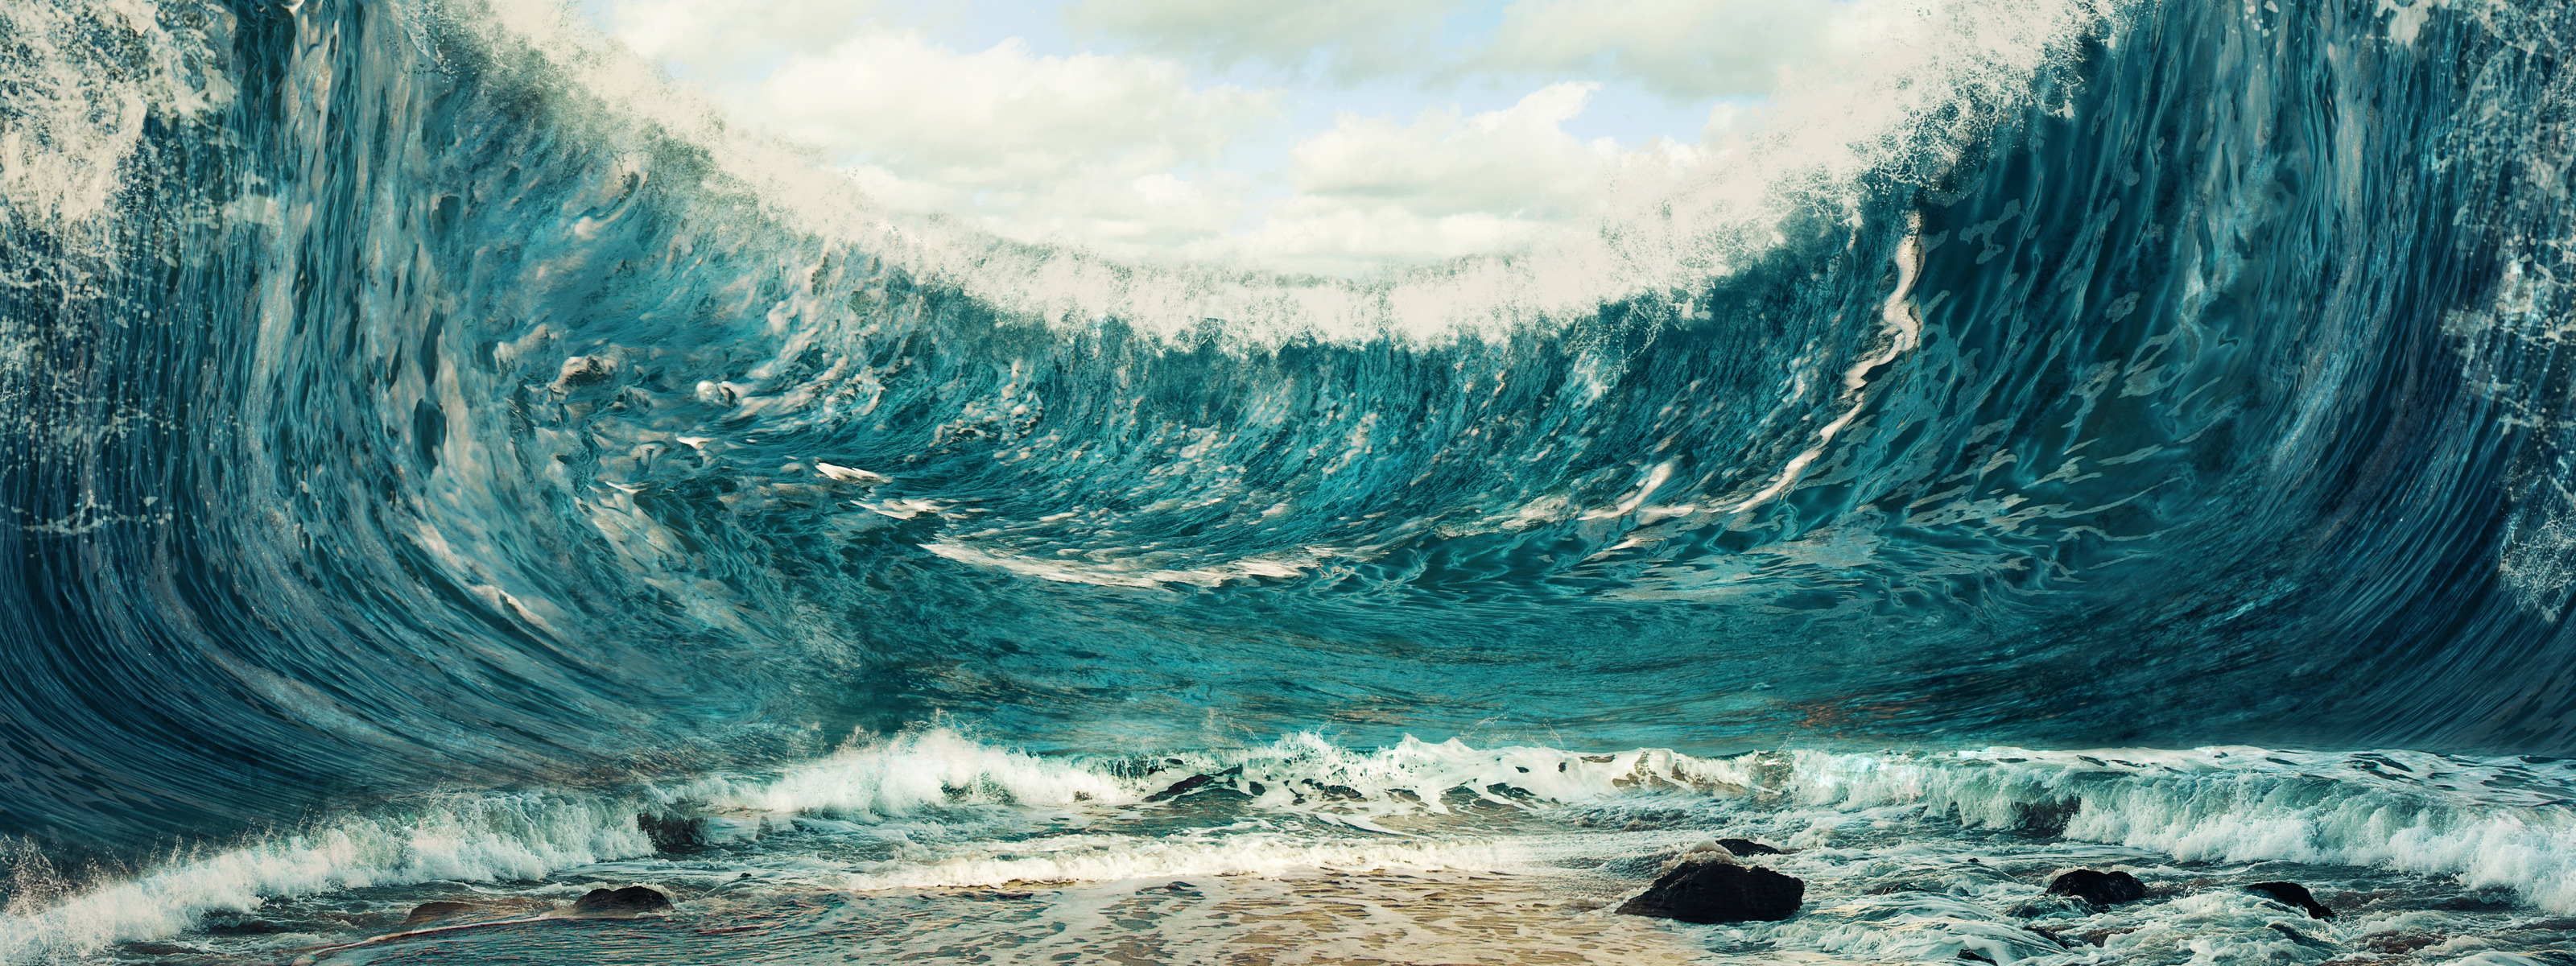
(1323, 135)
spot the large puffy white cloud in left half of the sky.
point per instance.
(1104, 151)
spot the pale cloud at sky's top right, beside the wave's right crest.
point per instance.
(1676, 48)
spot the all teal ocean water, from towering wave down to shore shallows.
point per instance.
(447, 462)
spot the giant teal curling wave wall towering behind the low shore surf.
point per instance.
(403, 398)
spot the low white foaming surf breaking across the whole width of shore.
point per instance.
(2490, 823)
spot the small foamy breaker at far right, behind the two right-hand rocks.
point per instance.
(2492, 823)
